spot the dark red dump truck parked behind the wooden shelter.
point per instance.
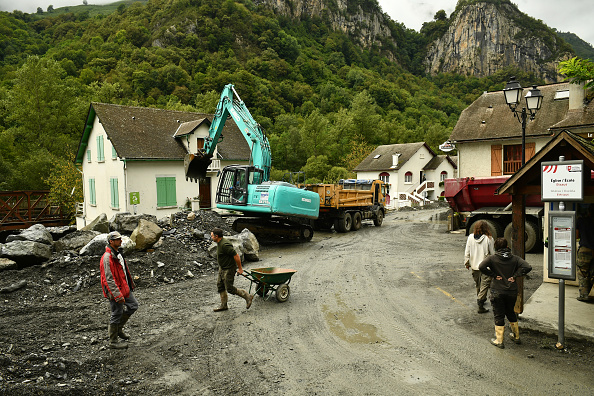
(474, 199)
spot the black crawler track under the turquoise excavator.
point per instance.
(275, 228)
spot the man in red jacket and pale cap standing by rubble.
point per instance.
(117, 285)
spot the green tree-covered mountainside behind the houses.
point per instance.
(324, 94)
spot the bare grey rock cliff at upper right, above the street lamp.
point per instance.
(483, 39)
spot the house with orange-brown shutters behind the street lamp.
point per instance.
(489, 138)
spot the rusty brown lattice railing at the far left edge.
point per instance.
(22, 209)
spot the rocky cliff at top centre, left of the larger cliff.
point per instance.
(367, 27)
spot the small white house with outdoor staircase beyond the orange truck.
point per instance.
(411, 171)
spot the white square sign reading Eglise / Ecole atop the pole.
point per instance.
(562, 181)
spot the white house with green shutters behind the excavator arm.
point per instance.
(133, 160)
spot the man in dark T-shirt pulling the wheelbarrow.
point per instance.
(229, 265)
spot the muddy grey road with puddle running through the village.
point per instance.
(380, 311)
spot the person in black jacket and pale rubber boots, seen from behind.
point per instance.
(504, 268)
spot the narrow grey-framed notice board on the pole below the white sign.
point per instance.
(562, 245)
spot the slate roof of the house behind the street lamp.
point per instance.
(489, 117)
